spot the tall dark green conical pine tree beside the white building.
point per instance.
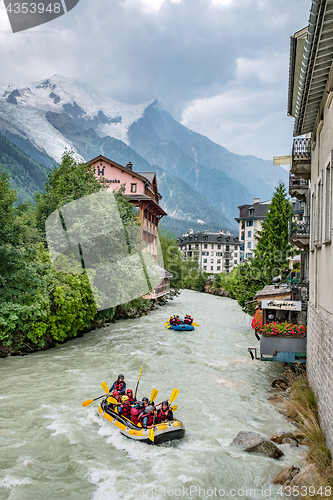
(273, 247)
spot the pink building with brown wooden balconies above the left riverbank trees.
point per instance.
(141, 190)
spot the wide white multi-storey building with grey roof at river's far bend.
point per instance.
(216, 252)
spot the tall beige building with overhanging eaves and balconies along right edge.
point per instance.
(310, 103)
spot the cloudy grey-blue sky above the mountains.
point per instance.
(218, 66)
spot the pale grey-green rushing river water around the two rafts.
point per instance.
(53, 448)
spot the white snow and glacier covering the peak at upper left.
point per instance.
(29, 109)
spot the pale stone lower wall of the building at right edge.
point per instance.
(319, 368)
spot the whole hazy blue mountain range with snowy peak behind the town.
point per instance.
(44, 118)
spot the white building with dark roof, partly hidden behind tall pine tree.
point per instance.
(251, 219)
